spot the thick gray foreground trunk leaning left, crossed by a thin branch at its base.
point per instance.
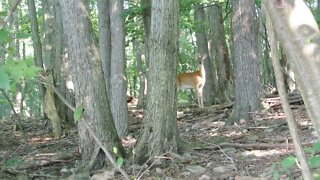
(89, 84)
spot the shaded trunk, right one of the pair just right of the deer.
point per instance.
(219, 51)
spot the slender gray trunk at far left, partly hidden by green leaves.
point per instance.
(37, 47)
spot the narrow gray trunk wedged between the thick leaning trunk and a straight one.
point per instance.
(105, 40)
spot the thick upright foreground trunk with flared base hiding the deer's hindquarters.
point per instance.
(160, 134)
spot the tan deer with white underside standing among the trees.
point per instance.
(195, 80)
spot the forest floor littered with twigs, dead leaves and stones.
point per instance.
(250, 150)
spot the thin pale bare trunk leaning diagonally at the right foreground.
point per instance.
(285, 103)
